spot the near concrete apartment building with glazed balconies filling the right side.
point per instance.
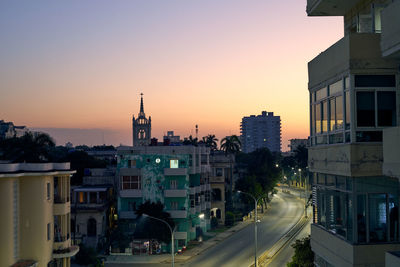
(354, 107)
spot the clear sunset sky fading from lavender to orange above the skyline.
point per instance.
(76, 68)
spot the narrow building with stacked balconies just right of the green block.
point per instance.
(220, 164)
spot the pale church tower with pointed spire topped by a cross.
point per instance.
(141, 127)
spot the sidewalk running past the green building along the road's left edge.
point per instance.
(165, 258)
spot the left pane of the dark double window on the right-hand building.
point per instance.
(365, 109)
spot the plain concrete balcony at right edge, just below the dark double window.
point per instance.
(391, 152)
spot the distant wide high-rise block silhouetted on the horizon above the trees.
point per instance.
(261, 131)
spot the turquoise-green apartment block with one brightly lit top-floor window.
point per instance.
(178, 176)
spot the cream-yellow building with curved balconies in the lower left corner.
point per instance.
(35, 205)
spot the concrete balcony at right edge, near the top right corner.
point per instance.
(390, 37)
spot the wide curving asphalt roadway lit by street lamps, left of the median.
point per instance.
(238, 249)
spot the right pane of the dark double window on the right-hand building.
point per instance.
(386, 108)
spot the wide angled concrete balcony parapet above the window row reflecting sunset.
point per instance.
(359, 52)
